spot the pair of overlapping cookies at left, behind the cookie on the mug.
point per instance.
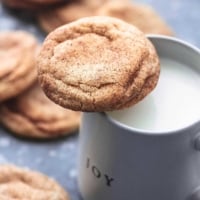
(24, 109)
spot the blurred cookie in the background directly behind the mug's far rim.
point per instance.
(142, 16)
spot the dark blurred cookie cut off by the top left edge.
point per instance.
(31, 4)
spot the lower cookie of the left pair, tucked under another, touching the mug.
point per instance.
(41, 118)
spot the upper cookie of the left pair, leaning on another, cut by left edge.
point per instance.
(17, 62)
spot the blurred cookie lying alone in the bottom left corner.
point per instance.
(22, 184)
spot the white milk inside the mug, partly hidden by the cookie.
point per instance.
(174, 103)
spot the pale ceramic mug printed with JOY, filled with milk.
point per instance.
(122, 159)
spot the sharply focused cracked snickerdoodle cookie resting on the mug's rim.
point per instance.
(97, 64)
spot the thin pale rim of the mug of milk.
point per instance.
(174, 40)
